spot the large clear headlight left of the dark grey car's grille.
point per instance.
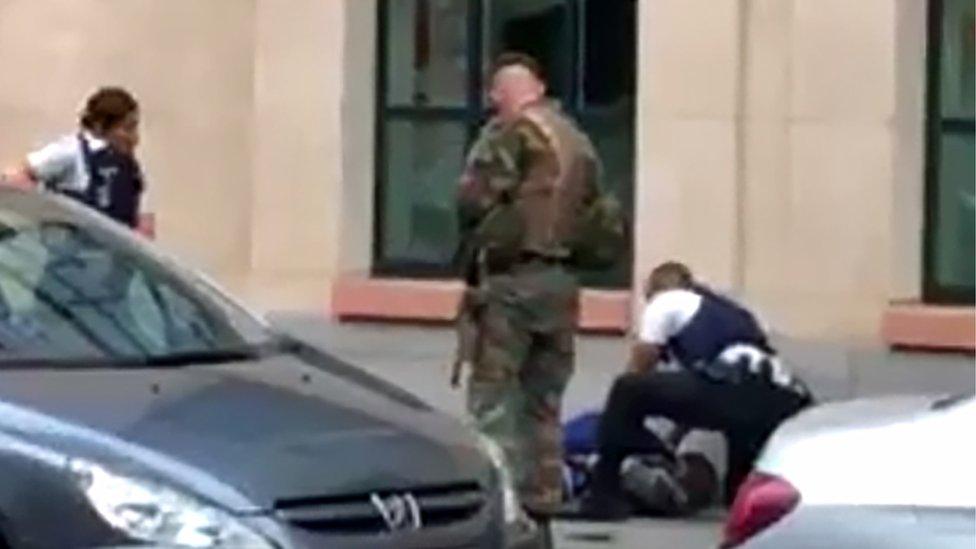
(151, 512)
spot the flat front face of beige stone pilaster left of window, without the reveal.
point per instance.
(297, 161)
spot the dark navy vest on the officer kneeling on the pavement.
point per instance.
(717, 324)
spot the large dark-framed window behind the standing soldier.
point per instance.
(431, 101)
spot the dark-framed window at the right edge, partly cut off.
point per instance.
(950, 208)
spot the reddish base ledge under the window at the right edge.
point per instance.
(916, 325)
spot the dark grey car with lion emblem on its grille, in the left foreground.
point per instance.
(140, 406)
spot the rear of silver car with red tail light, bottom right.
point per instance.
(892, 473)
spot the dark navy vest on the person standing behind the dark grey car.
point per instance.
(114, 183)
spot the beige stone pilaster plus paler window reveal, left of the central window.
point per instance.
(312, 210)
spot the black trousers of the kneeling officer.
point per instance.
(746, 413)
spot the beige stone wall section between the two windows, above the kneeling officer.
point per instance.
(781, 151)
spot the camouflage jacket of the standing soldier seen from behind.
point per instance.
(532, 174)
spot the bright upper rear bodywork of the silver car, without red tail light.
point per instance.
(886, 451)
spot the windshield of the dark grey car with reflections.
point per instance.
(75, 288)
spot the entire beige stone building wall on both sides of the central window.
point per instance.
(779, 141)
